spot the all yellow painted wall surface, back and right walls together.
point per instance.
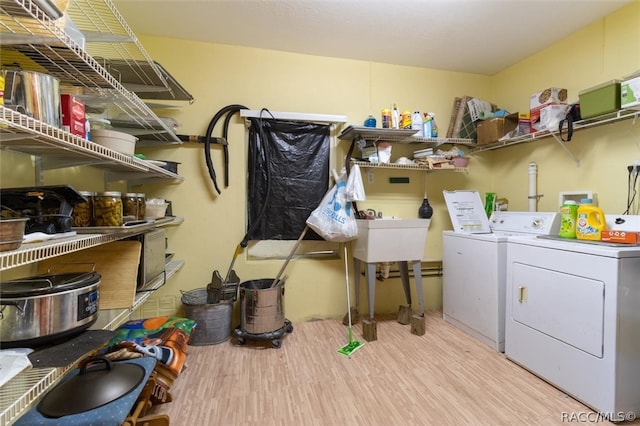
(219, 75)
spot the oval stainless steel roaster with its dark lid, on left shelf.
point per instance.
(46, 308)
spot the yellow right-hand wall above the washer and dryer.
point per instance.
(603, 51)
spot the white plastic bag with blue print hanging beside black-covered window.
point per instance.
(334, 219)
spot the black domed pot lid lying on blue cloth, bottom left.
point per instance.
(93, 387)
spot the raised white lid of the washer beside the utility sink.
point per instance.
(467, 212)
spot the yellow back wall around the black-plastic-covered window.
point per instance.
(219, 75)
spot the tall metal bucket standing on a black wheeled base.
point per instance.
(261, 307)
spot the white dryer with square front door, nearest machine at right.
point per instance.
(573, 316)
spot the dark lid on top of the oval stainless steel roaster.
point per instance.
(47, 284)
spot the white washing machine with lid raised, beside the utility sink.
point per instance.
(474, 256)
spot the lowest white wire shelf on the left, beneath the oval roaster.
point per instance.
(23, 391)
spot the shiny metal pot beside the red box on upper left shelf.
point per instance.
(34, 94)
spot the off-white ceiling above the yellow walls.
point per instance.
(475, 36)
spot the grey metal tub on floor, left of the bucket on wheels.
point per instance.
(213, 320)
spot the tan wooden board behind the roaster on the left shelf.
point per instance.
(116, 262)
